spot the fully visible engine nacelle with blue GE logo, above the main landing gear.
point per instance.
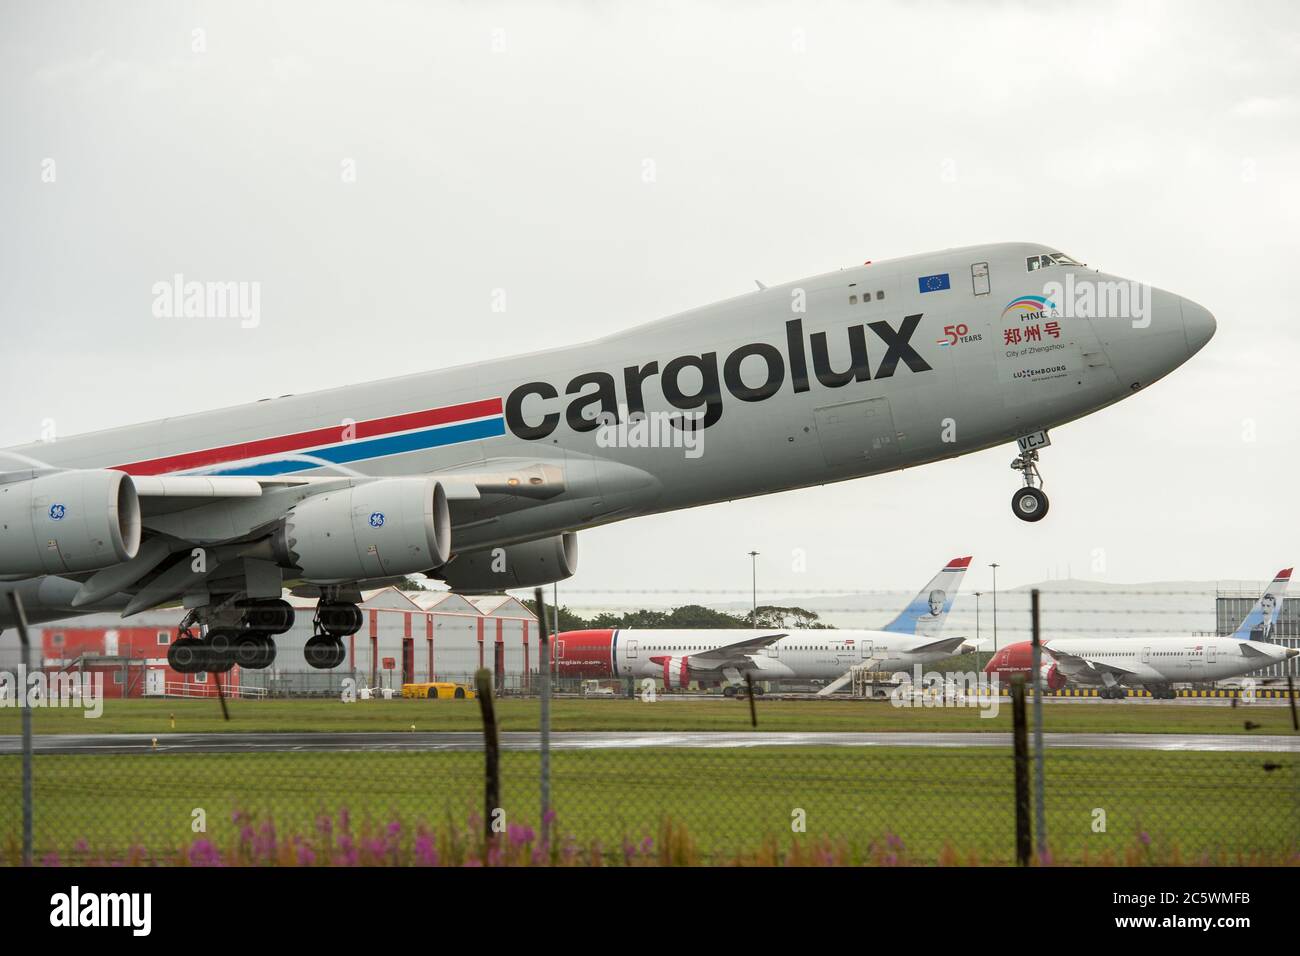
(379, 529)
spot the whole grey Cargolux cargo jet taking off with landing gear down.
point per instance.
(482, 475)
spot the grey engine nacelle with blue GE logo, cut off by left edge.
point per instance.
(67, 522)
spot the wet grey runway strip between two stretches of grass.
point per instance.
(623, 741)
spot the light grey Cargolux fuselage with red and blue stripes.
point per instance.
(839, 377)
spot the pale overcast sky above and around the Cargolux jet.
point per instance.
(502, 146)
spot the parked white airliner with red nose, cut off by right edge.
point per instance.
(1155, 664)
